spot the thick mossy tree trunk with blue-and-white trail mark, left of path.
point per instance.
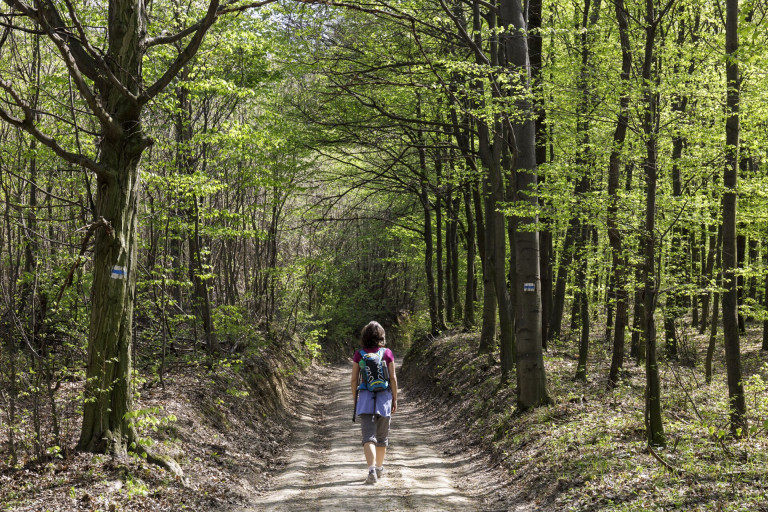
(106, 427)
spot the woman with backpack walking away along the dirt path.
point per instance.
(374, 407)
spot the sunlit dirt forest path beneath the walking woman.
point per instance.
(325, 468)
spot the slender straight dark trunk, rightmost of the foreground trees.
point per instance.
(730, 295)
